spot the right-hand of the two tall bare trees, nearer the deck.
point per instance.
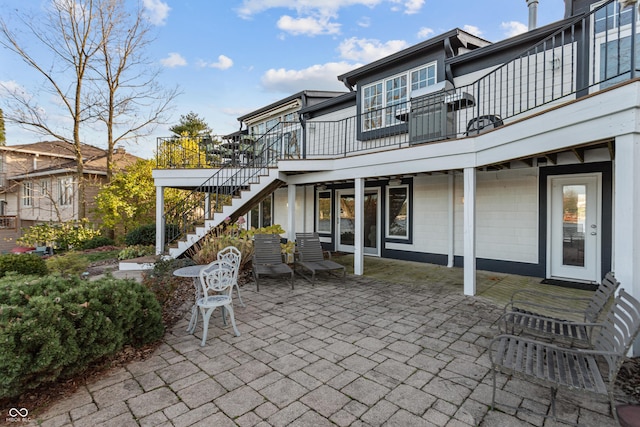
(128, 100)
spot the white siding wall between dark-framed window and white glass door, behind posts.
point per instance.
(507, 215)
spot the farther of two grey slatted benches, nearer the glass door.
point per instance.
(525, 314)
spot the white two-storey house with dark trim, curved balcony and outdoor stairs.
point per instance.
(518, 156)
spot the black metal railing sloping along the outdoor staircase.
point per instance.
(227, 182)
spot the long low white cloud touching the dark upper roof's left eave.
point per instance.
(318, 77)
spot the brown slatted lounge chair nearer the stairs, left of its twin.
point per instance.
(267, 258)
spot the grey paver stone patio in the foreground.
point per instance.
(354, 351)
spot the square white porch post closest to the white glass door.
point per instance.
(469, 231)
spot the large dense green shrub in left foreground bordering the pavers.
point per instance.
(52, 328)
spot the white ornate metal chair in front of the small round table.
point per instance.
(217, 282)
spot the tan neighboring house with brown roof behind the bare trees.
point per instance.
(38, 184)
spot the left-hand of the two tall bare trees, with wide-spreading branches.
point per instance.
(70, 42)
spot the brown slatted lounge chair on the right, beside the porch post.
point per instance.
(311, 257)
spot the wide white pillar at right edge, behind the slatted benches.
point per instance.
(626, 211)
